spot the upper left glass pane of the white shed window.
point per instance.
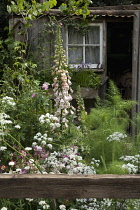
(74, 37)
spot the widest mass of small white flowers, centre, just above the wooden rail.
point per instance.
(68, 161)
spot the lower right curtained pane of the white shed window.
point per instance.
(92, 55)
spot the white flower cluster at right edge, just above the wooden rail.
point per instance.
(132, 165)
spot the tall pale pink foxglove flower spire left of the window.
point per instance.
(61, 85)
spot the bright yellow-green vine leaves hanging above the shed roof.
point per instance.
(30, 10)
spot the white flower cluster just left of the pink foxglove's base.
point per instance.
(50, 120)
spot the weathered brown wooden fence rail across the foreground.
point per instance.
(69, 186)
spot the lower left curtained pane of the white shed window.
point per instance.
(75, 55)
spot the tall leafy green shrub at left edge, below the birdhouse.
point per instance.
(19, 83)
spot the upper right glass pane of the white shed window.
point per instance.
(93, 35)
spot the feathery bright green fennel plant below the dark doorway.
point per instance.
(111, 116)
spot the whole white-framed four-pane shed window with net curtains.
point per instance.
(85, 49)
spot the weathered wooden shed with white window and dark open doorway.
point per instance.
(111, 46)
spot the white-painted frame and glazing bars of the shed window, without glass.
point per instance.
(92, 65)
